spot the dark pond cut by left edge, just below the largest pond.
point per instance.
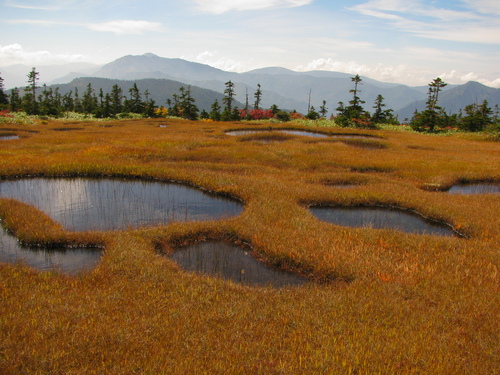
(67, 260)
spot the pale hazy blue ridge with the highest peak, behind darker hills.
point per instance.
(291, 89)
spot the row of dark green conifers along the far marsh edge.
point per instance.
(47, 101)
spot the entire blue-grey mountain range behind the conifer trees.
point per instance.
(286, 88)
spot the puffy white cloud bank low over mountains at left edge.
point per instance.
(15, 54)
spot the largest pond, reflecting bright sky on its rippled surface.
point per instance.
(81, 204)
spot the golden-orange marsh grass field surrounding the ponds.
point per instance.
(379, 301)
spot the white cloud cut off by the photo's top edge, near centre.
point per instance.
(222, 6)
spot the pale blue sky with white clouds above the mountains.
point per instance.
(402, 41)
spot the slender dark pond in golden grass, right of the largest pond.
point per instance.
(381, 218)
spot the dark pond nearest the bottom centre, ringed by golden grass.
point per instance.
(231, 262)
